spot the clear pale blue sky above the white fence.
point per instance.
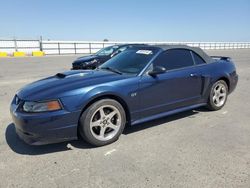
(127, 20)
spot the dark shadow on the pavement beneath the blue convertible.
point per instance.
(20, 147)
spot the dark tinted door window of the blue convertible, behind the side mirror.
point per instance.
(174, 59)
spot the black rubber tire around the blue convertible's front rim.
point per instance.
(85, 129)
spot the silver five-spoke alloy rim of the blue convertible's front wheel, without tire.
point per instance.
(105, 122)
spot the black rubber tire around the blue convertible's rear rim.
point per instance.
(211, 103)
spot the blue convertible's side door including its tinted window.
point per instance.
(179, 86)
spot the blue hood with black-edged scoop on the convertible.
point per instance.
(64, 84)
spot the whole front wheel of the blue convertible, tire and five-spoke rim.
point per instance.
(102, 122)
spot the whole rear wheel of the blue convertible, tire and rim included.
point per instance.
(218, 95)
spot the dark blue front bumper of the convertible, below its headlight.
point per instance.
(45, 128)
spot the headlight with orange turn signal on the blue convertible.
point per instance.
(41, 106)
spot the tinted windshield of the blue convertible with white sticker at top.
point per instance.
(130, 61)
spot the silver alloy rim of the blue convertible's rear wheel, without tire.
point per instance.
(219, 95)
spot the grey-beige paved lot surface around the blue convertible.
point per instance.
(196, 148)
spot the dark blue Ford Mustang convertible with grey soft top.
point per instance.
(138, 85)
